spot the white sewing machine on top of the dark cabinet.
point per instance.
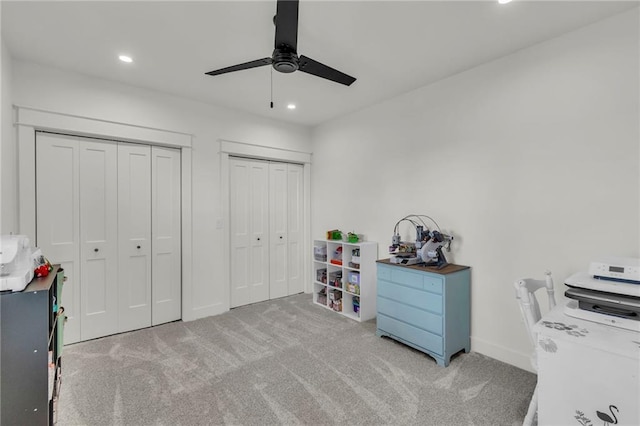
(17, 258)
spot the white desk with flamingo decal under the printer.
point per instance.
(584, 368)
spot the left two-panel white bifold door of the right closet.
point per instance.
(249, 227)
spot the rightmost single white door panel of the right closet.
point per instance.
(295, 228)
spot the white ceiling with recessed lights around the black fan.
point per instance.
(391, 47)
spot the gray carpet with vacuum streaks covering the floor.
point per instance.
(284, 361)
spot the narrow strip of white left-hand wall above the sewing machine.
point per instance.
(8, 181)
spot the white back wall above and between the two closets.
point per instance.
(59, 91)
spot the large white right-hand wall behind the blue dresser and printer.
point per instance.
(530, 161)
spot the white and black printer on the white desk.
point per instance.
(609, 293)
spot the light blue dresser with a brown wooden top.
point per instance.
(425, 308)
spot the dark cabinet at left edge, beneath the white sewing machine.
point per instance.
(31, 326)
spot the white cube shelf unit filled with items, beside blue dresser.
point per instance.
(344, 277)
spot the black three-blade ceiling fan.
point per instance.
(285, 57)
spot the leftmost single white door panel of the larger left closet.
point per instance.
(58, 224)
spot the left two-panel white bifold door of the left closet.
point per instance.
(77, 227)
